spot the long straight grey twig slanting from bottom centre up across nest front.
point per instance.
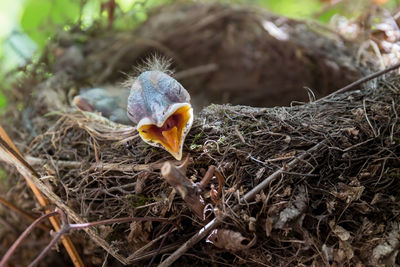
(246, 198)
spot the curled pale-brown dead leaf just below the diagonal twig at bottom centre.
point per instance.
(230, 240)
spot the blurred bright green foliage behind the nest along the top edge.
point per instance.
(26, 25)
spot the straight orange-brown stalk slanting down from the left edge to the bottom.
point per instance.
(26, 170)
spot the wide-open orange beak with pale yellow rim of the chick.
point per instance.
(172, 133)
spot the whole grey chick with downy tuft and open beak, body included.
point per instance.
(157, 103)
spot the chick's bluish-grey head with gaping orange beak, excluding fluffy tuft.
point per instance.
(161, 108)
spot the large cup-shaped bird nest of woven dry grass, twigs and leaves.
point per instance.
(310, 184)
